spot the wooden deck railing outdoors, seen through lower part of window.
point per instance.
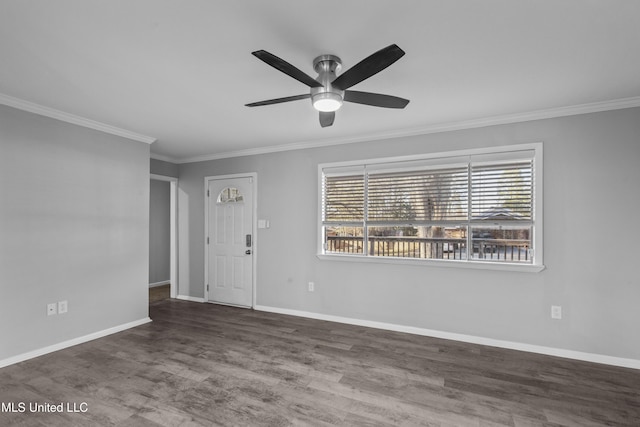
(513, 250)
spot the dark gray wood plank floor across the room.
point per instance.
(203, 364)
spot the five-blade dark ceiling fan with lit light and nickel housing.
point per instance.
(328, 90)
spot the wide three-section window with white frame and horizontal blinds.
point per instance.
(473, 207)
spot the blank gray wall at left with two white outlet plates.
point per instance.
(74, 224)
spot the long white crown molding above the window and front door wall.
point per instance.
(551, 113)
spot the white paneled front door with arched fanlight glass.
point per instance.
(230, 241)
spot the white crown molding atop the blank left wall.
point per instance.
(52, 113)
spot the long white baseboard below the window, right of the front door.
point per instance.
(549, 351)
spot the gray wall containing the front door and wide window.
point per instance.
(591, 176)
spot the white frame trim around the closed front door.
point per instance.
(254, 213)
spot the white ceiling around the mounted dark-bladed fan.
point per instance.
(182, 70)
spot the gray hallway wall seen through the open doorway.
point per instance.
(159, 231)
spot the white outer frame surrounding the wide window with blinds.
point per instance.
(503, 151)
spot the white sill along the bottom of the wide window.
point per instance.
(477, 265)
